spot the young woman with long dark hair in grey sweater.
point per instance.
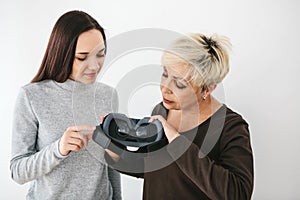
(49, 145)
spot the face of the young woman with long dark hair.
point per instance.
(89, 56)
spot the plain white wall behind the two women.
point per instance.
(261, 85)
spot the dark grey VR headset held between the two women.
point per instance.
(118, 132)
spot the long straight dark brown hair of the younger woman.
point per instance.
(59, 56)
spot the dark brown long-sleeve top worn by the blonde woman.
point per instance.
(211, 161)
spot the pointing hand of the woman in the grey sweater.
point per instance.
(73, 139)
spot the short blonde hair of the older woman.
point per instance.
(207, 56)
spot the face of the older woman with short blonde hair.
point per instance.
(177, 91)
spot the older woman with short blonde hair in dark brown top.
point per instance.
(206, 152)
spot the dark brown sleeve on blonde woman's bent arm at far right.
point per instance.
(228, 177)
